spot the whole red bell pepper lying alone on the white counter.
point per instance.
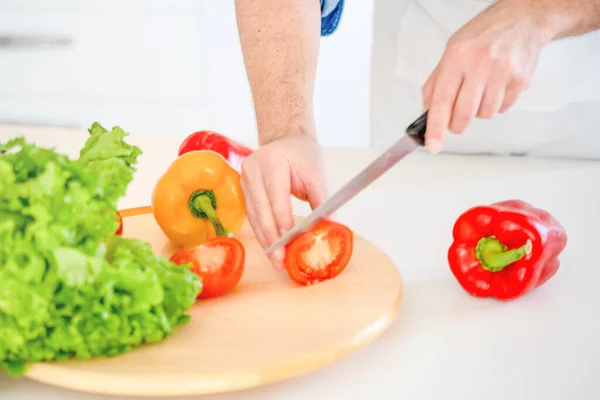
(505, 249)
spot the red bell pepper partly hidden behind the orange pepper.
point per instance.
(231, 150)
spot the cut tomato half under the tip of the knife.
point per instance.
(321, 253)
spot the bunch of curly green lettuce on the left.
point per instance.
(70, 288)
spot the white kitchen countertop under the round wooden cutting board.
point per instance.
(443, 343)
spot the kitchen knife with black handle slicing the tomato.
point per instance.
(414, 138)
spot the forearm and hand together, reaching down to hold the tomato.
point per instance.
(280, 43)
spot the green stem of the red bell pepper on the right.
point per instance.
(494, 256)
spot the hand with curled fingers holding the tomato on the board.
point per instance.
(291, 165)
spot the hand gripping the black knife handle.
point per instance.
(485, 67)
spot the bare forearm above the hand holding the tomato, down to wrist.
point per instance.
(280, 43)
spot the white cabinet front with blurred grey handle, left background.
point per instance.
(119, 65)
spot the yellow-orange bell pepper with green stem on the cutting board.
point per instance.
(199, 197)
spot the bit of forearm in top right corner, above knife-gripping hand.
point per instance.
(564, 18)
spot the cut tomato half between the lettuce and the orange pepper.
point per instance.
(219, 262)
